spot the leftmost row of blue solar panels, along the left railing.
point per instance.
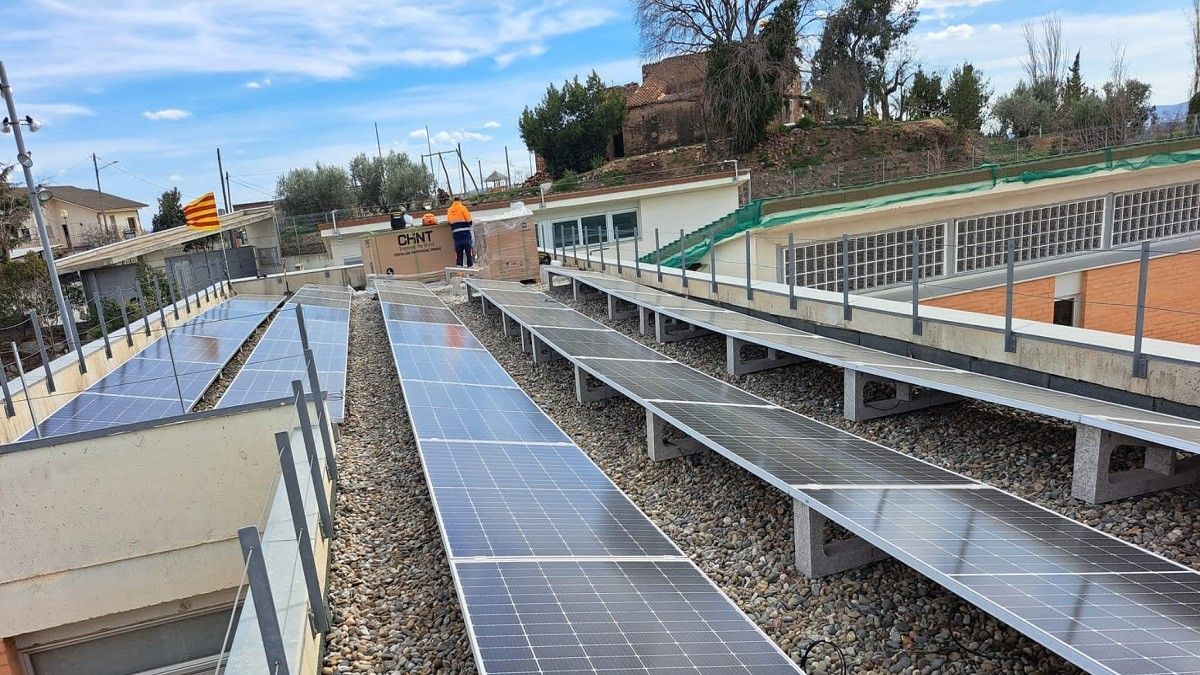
(167, 378)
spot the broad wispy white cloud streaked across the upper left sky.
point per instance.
(315, 40)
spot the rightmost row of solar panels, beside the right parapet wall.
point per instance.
(1157, 428)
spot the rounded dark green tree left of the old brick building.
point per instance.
(571, 128)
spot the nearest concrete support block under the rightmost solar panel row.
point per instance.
(1094, 481)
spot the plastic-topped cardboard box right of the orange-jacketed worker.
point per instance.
(507, 246)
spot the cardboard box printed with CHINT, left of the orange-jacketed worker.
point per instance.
(416, 253)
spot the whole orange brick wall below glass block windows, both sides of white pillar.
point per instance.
(1109, 297)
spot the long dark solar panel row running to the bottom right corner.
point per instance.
(1105, 605)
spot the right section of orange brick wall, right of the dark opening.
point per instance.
(1173, 298)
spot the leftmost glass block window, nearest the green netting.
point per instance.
(883, 259)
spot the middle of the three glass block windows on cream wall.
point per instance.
(1041, 232)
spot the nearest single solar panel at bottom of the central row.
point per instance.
(609, 617)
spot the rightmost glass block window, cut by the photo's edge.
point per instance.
(1156, 213)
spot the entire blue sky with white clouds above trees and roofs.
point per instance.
(158, 87)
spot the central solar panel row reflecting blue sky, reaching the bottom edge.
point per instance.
(557, 570)
